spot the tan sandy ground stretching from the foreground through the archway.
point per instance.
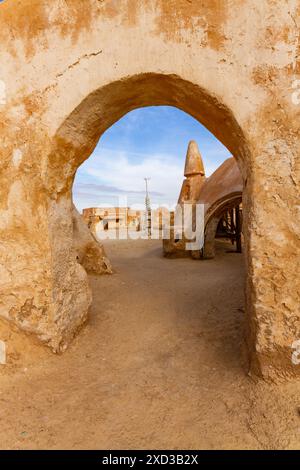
(159, 365)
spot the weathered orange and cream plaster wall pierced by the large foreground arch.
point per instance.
(69, 70)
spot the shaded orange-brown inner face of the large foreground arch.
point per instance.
(77, 136)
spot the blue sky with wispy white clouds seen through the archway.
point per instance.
(147, 142)
